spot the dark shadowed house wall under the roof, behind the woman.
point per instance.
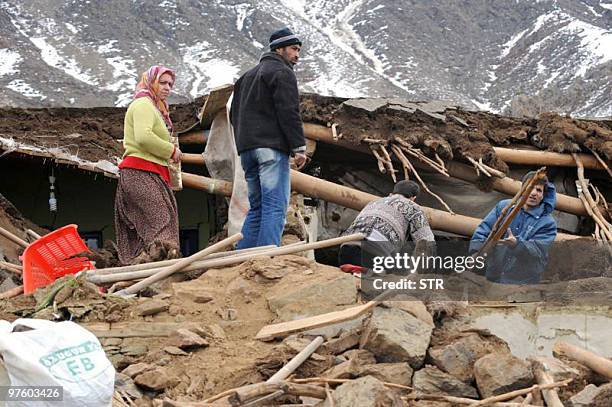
(87, 199)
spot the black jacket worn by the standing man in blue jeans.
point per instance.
(265, 110)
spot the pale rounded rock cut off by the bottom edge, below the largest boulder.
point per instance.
(363, 392)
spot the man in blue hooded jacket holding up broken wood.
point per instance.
(521, 256)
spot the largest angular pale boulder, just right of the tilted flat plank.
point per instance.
(396, 336)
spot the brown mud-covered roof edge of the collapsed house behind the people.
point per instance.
(92, 136)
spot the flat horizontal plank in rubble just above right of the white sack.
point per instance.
(135, 329)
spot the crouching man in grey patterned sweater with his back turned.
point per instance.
(392, 220)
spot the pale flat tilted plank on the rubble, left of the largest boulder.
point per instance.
(287, 328)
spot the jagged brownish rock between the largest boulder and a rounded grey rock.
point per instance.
(458, 357)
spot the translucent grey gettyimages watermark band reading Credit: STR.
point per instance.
(449, 271)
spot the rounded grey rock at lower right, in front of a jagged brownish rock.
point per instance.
(499, 373)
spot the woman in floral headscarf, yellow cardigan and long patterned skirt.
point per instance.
(146, 216)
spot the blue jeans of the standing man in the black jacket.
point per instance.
(267, 175)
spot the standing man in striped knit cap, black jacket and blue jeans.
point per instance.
(265, 113)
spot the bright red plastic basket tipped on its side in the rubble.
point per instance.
(51, 257)
